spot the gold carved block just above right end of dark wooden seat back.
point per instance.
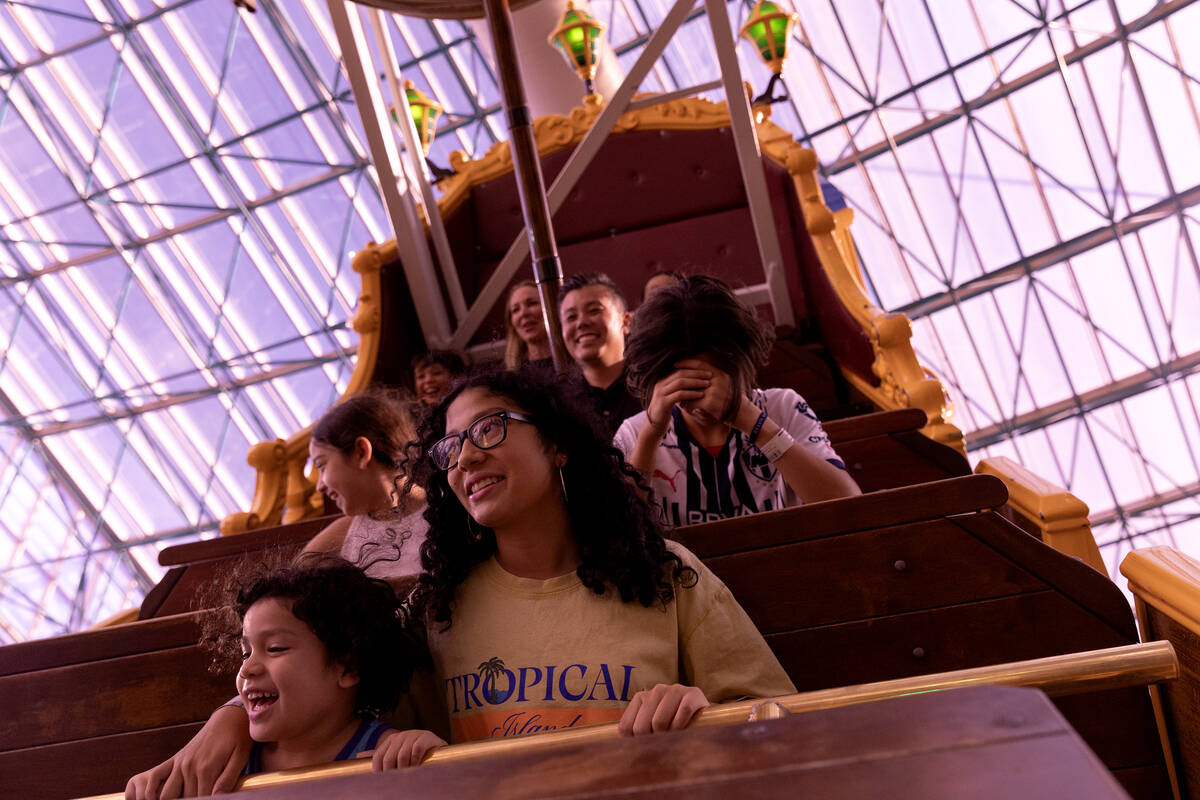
(1060, 516)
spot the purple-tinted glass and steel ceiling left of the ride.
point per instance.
(182, 191)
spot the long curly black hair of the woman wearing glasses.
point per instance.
(615, 527)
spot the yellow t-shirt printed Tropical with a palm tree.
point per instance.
(527, 655)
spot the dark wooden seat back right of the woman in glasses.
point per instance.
(923, 580)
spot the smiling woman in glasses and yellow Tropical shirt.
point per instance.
(551, 598)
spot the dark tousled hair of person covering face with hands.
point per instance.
(699, 316)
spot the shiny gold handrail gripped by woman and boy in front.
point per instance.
(1094, 671)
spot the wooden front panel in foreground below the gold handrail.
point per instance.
(983, 743)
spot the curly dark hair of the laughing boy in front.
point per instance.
(362, 623)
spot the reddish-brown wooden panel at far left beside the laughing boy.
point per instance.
(83, 711)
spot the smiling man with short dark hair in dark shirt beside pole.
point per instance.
(596, 320)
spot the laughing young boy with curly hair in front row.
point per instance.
(325, 651)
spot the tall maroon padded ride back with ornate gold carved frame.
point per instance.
(665, 191)
